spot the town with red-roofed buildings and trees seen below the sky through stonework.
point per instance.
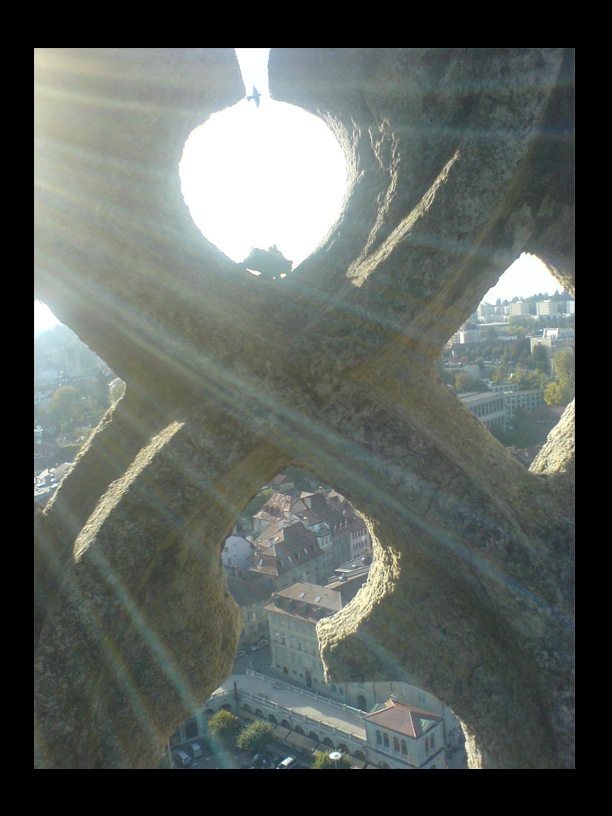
(300, 551)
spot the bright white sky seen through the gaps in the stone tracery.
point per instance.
(274, 174)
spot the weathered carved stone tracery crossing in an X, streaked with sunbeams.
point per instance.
(460, 160)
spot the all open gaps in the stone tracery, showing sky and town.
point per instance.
(299, 551)
